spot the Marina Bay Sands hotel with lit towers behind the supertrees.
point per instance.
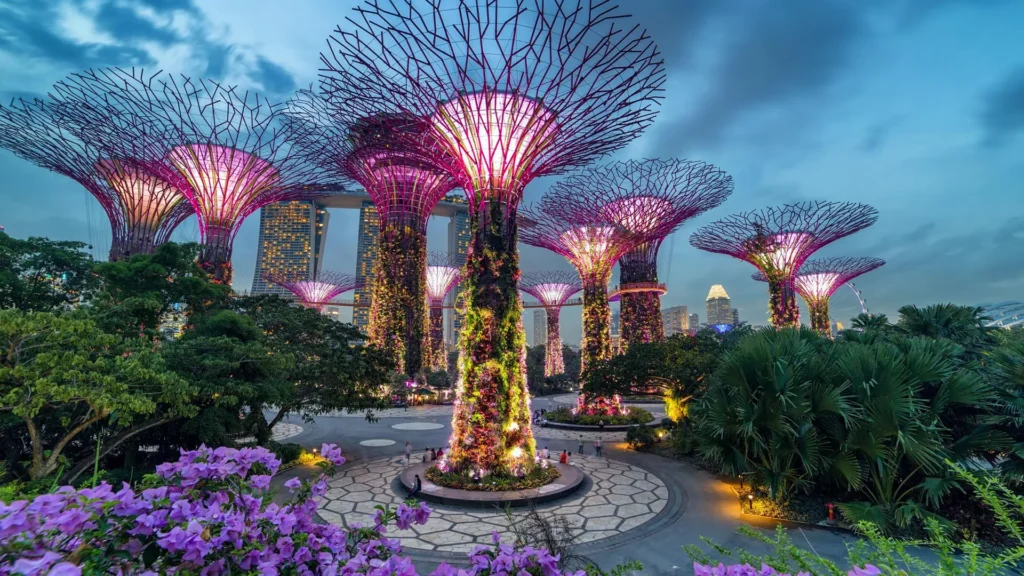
(292, 238)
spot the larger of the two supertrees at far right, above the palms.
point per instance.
(780, 240)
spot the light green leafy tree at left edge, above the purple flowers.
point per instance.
(64, 363)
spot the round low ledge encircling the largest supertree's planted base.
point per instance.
(570, 482)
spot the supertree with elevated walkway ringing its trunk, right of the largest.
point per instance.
(652, 199)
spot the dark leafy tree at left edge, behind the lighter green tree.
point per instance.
(45, 275)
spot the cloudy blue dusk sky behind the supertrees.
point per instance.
(915, 107)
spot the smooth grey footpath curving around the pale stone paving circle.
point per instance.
(696, 504)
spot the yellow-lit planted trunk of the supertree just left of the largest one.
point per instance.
(399, 299)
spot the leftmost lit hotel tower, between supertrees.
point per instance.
(292, 236)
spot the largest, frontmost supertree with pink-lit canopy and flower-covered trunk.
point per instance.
(513, 91)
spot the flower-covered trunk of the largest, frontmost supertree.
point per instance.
(491, 423)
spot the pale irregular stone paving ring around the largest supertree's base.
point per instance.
(623, 499)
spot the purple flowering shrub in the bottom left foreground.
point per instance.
(210, 514)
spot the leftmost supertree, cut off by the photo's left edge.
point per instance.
(143, 209)
